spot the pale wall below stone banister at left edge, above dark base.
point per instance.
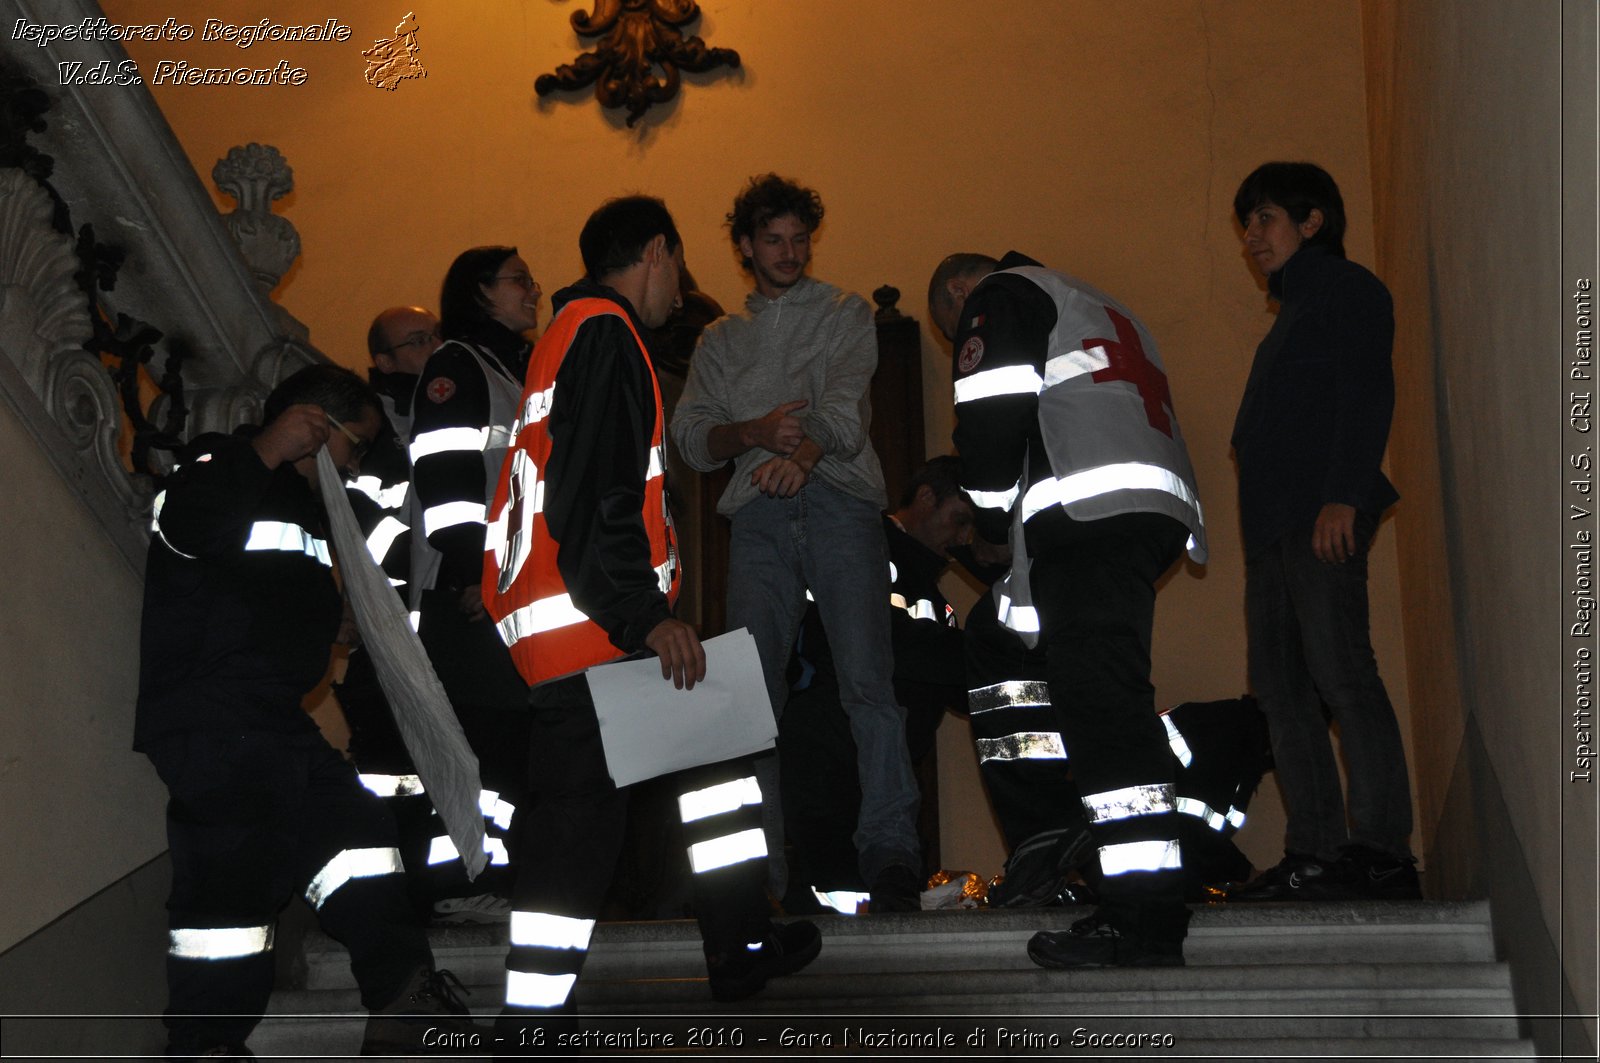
(81, 808)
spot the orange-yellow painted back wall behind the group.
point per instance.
(1102, 137)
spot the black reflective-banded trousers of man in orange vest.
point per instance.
(570, 841)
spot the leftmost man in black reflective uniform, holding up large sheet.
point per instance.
(241, 608)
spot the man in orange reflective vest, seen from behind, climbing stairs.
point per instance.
(582, 569)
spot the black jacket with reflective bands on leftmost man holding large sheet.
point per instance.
(241, 608)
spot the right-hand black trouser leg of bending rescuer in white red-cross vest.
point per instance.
(1095, 592)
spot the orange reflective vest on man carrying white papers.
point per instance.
(522, 588)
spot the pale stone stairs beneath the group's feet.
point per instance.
(1305, 982)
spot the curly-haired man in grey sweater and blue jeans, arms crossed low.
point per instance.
(782, 390)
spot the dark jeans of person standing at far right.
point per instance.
(1310, 646)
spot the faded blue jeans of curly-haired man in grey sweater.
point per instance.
(831, 544)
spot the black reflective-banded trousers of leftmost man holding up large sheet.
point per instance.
(254, 819)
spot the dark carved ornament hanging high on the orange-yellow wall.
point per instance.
(638, 38)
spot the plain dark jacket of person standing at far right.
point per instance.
(1314, 420)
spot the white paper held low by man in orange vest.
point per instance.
(650, 728)
